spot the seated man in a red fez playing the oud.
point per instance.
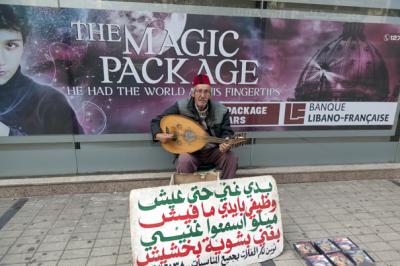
(214, 117)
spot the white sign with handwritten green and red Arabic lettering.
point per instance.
(227, 222)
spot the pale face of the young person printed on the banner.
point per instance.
(11, 48)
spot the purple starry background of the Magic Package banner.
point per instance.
(55, 55)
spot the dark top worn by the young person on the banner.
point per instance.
(29, 108)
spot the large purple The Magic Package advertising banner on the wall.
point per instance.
(88, 71)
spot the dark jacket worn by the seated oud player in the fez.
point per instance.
(217, 120)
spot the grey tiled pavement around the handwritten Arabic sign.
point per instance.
(93, 229)
